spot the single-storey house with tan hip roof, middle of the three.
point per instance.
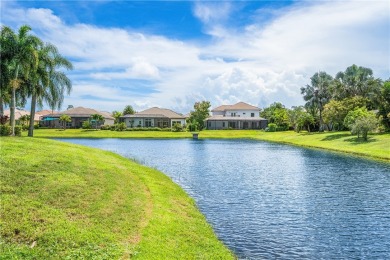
(154, 117)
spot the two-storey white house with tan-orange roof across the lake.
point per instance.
(237, 116)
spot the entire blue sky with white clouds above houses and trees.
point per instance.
(171, 54)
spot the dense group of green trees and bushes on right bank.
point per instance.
(354, 99)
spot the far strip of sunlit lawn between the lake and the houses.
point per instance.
(377, 147)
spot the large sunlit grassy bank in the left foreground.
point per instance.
(60, 200)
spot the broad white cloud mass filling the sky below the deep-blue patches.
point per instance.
(258, 64)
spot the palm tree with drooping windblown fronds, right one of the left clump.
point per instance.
(47, 84)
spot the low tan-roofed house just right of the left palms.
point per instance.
(78, 115)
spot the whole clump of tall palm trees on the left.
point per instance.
(31, 69)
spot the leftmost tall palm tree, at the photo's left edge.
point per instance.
(22, 57)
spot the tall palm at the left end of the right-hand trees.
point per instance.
(318, 93)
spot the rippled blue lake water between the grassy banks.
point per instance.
(268, 201)
